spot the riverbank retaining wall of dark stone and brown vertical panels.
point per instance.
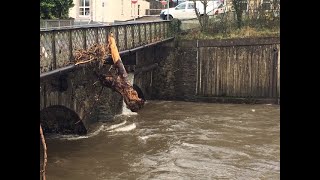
(236, 70)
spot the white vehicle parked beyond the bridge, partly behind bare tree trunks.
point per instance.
(186, 10)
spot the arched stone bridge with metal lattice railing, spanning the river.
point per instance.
(70, 96)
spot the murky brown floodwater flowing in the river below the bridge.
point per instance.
(174, 140)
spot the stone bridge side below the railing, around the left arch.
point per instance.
(77, 92)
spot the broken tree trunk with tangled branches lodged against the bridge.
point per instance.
(118, 81)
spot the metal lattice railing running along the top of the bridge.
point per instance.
(57, 46)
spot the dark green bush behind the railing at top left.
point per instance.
(55, 9)
